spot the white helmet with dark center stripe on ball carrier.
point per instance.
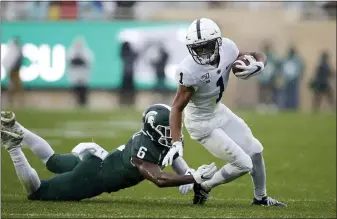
(203, 40)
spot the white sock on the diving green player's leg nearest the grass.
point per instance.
(26, 174)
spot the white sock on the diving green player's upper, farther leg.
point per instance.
(38, 145)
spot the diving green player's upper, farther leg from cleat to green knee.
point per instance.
(56, 163)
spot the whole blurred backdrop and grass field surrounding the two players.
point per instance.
(73, 71)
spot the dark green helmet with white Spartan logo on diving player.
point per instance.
(156, 124)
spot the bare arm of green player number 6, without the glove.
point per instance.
(153, 173)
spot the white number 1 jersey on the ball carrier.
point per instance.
(208, 82)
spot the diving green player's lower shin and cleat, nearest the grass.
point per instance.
(11, 140)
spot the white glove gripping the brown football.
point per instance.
(252, 69)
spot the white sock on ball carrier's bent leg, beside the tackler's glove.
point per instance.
(226, 174)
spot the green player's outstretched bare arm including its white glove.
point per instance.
(153, 173)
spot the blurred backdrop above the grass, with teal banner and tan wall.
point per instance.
(48, 30)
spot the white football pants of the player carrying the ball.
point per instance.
(226, 136)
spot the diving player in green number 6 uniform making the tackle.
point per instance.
(90, 170)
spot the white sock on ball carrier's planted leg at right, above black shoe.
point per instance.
(258, 175)
